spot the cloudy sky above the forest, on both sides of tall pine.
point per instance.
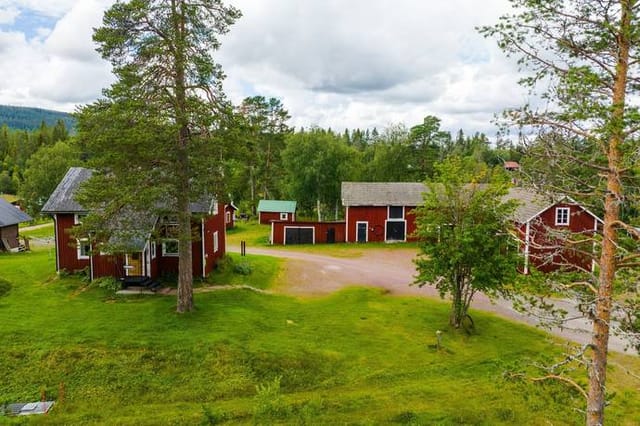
(332, 63)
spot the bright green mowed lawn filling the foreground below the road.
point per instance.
(356, 357)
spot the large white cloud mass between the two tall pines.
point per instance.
(369, 63)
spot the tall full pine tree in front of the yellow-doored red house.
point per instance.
(152, 139)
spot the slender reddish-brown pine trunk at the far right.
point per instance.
(596, 398)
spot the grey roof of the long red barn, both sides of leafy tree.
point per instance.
(410, 194)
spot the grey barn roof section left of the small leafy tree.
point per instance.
(382, 193)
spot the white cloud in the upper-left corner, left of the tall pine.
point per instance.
(59, 68)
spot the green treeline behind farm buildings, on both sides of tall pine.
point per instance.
(262, 157)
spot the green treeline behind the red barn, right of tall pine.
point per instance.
(272, 161)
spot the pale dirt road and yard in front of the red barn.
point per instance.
(308, 274)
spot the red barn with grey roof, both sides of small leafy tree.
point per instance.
(383, 212)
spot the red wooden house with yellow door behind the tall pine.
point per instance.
(146, 252)
